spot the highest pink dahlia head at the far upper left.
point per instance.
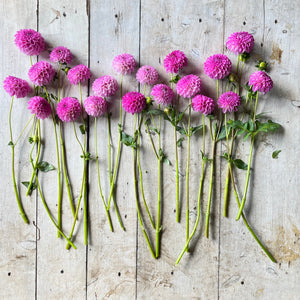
(29, 41)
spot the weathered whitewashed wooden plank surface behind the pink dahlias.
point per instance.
(34, 263)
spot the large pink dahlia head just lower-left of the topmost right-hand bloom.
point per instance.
(217, 66)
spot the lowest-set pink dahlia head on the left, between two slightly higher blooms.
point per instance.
(68, 109)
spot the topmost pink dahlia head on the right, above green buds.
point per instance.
(240, 42)
